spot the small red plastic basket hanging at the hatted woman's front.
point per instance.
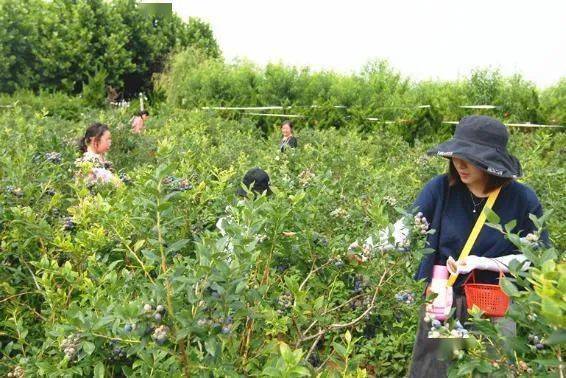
(489, 298)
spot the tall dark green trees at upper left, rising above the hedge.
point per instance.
(59, 44)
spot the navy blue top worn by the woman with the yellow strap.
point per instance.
(449, 210)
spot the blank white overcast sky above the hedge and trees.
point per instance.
(441, 39)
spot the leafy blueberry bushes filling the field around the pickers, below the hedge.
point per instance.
(137, 280)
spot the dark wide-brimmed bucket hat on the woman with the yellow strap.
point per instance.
(482, 141)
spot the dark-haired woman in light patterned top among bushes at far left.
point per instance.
(93, 166)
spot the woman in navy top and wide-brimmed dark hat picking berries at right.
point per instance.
(479, 164)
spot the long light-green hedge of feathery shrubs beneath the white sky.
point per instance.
(377, 91)
